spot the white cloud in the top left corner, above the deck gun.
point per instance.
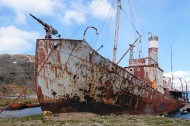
(37, 7)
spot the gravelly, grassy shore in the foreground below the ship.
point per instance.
(90, 119)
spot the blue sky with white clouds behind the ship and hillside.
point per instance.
(167, 19)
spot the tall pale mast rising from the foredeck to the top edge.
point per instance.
(116, 30)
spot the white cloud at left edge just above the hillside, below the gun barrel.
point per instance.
(15, 41)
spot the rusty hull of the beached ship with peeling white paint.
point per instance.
(71, 76)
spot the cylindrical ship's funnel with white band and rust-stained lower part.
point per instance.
(153, 50)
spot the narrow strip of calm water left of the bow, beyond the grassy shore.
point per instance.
(20, 113)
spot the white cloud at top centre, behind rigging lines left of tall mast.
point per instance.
(78, 11)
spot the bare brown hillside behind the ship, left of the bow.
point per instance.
(16, 71)
